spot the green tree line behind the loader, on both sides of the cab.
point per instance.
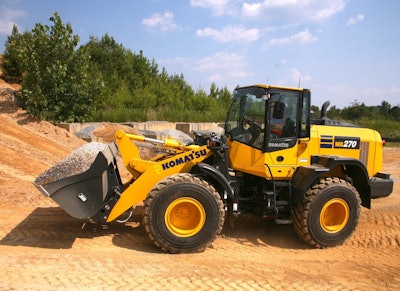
(103, 81)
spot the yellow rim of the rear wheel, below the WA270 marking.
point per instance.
(334, 215)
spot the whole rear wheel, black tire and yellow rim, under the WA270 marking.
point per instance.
(328, 213)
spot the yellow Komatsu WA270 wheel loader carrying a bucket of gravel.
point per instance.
(272, 161)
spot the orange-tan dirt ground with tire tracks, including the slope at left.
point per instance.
(42, 248)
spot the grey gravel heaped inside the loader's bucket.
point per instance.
(76, 163)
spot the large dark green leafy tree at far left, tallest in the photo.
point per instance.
(57, 86)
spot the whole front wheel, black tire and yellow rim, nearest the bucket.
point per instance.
(183, 214)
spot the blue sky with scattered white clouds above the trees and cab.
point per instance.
(345, 51)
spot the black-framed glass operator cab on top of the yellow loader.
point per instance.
(269, 118)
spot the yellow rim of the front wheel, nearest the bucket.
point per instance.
(185, 217)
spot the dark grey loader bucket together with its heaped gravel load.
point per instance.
(85, 181)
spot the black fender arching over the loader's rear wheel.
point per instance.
(326, 165)
